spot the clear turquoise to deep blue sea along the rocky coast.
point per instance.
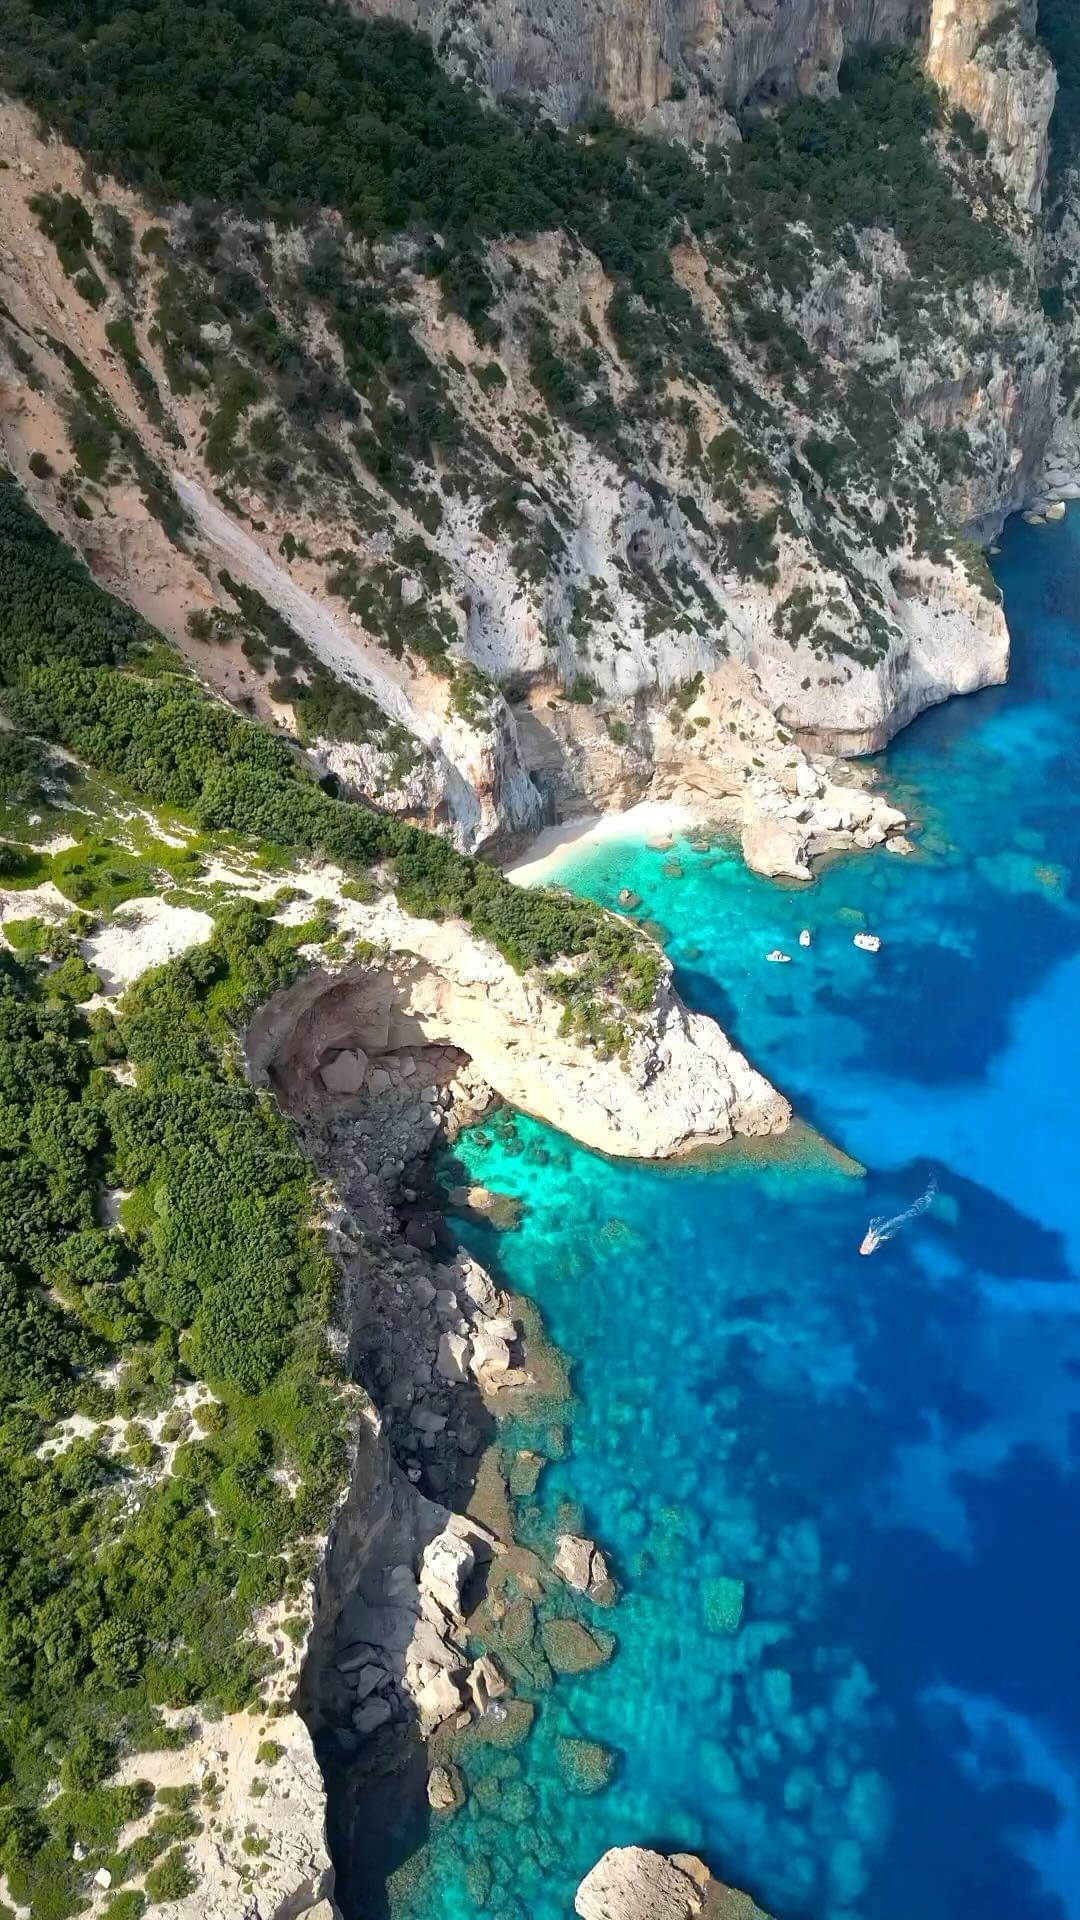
(883, 1451)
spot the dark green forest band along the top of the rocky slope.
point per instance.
(287, 107)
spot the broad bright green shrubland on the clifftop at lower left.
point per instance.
(122, 1589)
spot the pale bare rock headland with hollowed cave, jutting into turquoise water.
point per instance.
(679, 1082)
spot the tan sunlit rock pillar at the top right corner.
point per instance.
(987, 59)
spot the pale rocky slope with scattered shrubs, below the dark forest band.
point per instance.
(566, 569)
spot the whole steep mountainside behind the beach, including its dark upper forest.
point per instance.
(535, 423)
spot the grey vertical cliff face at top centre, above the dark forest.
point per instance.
(674, 66)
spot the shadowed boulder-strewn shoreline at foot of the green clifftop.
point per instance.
(424, 1573)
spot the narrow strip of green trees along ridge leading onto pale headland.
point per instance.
(164, 738)
